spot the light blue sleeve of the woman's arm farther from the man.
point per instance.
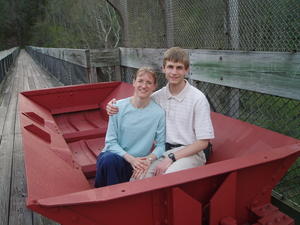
(111, 138)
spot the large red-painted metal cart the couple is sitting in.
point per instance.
(60, 169)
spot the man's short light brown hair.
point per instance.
(177, 54)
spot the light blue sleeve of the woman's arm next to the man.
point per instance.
(160, 137)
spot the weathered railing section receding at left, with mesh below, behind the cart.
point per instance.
(72, 66)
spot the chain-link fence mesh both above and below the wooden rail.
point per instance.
(248, 25)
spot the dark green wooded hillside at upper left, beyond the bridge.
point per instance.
(58, 23)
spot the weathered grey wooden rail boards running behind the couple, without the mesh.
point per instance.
(274, 73)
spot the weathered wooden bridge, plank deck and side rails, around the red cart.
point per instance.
(223, 68)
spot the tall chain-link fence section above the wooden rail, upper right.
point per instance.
(220, 24)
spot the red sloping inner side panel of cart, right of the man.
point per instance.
(237, 138)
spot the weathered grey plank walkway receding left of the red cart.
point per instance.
(25, 75)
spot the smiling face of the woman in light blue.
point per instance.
(144, 85)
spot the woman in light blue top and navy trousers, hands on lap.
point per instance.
(131, 134)
